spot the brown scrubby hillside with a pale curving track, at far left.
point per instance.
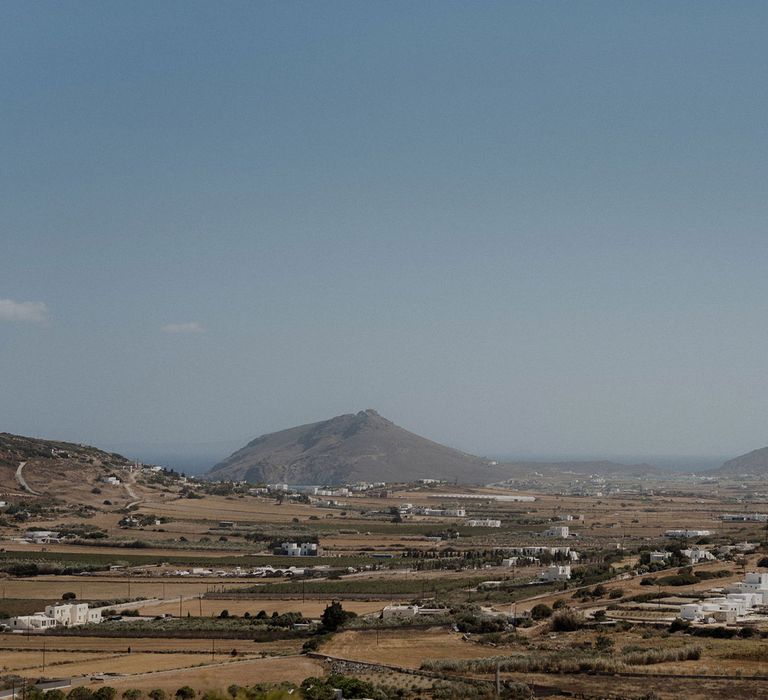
(55, 469)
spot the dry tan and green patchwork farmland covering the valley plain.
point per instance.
(430, 560)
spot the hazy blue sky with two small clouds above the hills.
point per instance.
(519, 228)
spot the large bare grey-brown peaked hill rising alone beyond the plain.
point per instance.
(348, 448)
